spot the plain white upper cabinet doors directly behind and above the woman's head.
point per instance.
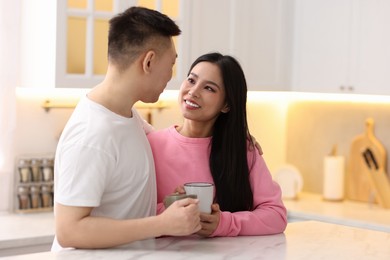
(257, 33)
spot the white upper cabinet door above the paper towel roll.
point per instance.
(322, 40)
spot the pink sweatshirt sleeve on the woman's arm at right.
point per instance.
(269, 215)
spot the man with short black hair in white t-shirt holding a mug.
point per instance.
(105, 188)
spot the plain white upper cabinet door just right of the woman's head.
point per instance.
(261, 41)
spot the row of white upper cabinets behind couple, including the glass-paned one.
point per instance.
(64, 43)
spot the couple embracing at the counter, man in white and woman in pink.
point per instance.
(105, 175)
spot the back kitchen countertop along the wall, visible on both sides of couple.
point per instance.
(34, 232)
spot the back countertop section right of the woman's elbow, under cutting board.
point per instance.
(311, 206)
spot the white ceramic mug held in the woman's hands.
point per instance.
(205, 193)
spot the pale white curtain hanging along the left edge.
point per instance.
(9, 79)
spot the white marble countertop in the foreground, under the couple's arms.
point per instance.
(302, 240)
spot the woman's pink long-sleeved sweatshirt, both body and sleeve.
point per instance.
(180, 159)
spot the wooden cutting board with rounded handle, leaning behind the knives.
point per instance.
(359, 186)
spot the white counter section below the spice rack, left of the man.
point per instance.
(20, 230)
